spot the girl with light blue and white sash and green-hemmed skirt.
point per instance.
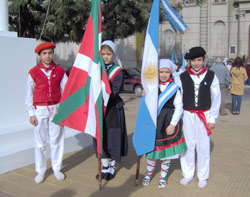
(169, 142)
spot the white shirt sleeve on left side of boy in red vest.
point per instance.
(29, 96)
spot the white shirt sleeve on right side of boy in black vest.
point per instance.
(215, 101)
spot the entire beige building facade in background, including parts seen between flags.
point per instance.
(221, 27)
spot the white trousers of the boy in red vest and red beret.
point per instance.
(48, 132)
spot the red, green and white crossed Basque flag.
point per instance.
(87, 89)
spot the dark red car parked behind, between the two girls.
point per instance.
(132, 80)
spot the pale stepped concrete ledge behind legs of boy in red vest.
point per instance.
(17, 148)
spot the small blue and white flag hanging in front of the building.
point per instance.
(173, 17)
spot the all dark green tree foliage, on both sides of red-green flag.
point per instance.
(66, 19)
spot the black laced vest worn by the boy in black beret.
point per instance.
(204, 95)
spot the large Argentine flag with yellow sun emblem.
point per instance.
(145, 127)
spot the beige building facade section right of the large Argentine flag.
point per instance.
(219, 26)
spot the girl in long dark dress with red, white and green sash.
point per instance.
(115, 143)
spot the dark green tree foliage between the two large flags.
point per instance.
(123, 18)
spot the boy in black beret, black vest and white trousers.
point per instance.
(201, 103)
